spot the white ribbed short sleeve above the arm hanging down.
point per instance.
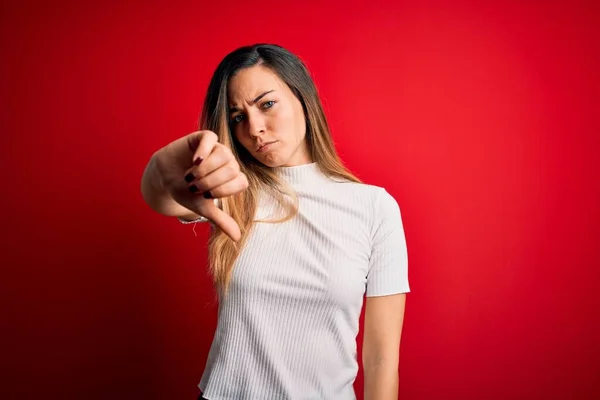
(388, 264)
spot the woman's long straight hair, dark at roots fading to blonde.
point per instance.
(242, 206)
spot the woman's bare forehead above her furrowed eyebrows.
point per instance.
(250, 82)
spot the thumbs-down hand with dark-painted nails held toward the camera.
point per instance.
(195, 169)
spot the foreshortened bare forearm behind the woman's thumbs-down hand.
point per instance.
(157, 197)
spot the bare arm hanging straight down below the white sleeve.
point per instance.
(384, 317)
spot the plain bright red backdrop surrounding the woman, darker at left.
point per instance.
(478, 119)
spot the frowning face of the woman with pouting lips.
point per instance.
(266, 118)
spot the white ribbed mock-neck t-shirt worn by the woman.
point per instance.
(287, 328)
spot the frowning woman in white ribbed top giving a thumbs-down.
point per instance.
(297, 242)
